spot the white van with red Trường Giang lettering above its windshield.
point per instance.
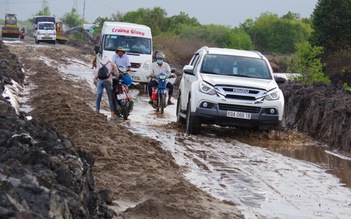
(128, 35)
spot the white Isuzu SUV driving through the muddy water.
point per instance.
(231, 88)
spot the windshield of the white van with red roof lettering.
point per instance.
(130, 44)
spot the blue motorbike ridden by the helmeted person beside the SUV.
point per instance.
(160, 93)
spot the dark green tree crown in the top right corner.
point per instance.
(332, 23)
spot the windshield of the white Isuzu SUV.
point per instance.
(235, 66)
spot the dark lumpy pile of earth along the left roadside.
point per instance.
(42, 173)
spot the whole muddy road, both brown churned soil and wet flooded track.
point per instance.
(148, 161)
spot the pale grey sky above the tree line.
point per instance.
(222, 12)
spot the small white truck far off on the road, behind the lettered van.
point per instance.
(45, 31)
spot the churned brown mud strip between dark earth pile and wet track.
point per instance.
(141, 175)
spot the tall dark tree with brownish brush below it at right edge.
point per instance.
(331, 24)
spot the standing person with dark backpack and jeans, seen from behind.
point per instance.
(105, 83)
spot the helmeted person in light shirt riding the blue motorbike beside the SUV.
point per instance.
(156, 68)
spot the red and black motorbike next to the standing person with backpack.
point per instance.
(122, 101)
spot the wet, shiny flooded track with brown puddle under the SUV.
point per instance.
(266, 174)
